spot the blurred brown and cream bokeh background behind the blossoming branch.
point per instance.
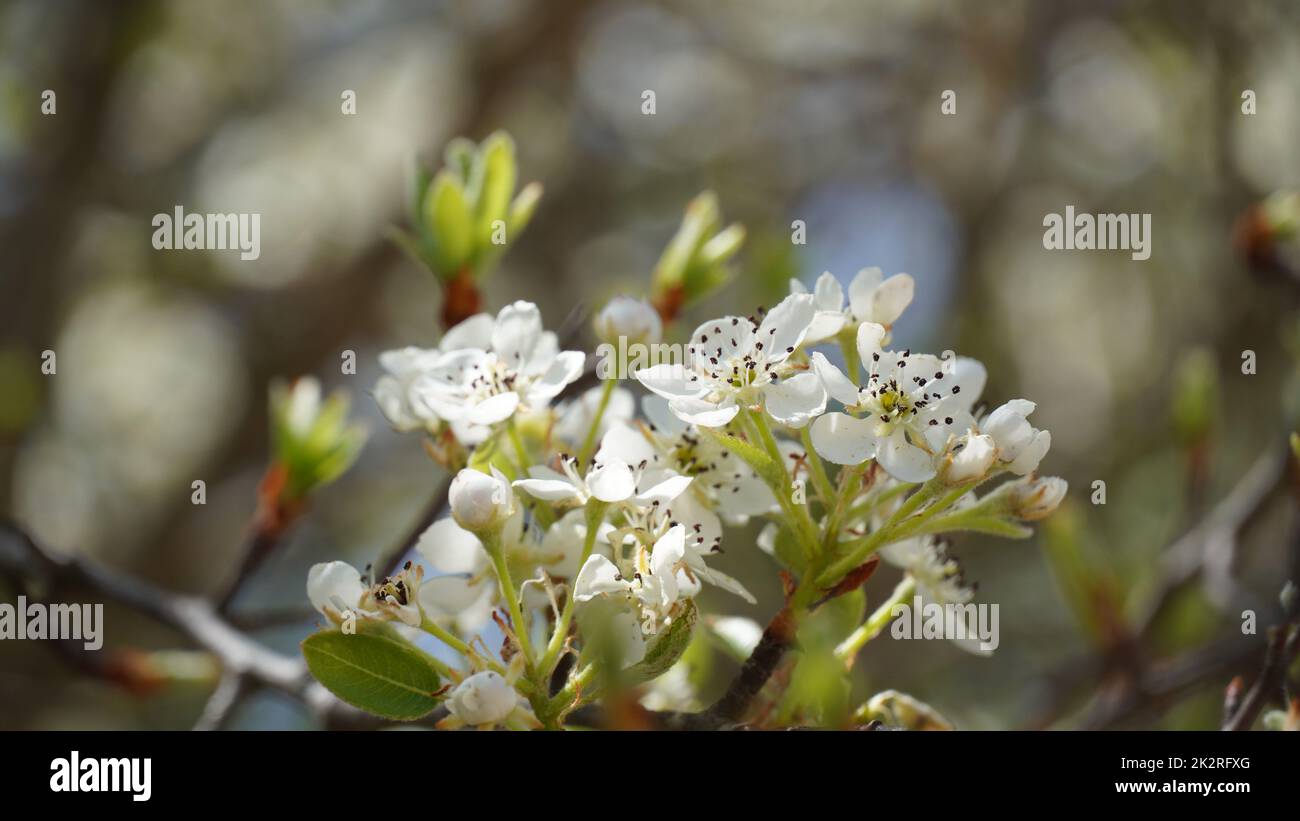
(826, 112)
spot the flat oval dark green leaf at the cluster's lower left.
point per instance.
(378, 674)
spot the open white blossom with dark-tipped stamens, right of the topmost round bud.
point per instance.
(734, 360)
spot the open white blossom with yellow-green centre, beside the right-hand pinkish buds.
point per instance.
(909, 407)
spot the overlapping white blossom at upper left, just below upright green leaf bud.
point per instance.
(521, 368)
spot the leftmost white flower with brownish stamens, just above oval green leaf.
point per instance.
(336, 589)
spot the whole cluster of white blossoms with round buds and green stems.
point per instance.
(587, 522)
